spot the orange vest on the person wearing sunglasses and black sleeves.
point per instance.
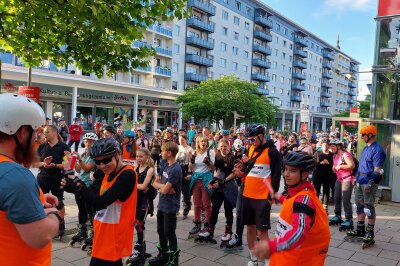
(113, 226)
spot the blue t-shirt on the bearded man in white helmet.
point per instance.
(19, 194)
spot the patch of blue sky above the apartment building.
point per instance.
(353, 20)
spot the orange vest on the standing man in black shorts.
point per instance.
(254, 186)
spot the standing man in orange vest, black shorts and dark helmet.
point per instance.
(264, 163)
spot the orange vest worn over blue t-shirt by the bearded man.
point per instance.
(13, 249)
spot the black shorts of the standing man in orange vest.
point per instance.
(256, 212)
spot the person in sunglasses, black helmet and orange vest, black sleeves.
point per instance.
(114, 204)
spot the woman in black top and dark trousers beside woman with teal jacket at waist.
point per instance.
(225, 192)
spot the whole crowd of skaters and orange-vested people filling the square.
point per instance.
(120, 173)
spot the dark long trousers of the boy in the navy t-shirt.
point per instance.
(166, 226)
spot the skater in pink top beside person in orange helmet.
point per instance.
(343, 166)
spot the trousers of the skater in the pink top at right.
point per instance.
(343, 193)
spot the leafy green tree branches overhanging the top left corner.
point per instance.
(95, 35)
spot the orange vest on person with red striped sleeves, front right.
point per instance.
(312, 252)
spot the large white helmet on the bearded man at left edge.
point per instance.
(17, 111)
